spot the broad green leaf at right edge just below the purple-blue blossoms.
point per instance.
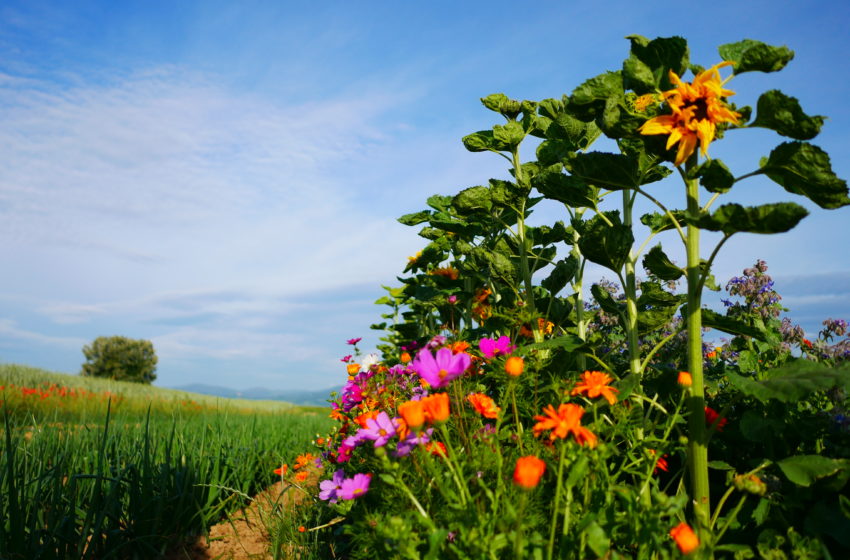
(793, 382)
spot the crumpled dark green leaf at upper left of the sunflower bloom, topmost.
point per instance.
(648, 66)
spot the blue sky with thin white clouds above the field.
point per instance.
(223, 178)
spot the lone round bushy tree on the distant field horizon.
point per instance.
(120, 358)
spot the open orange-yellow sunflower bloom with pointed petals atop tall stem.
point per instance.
(697, 108)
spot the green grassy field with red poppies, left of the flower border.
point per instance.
(93, 468)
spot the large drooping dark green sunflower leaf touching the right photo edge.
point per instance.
(804, 169)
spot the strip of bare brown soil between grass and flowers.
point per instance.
(241, 537)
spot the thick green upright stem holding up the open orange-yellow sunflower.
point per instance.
(697, 440)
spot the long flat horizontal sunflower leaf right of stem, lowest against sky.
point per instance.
(767, 218)
